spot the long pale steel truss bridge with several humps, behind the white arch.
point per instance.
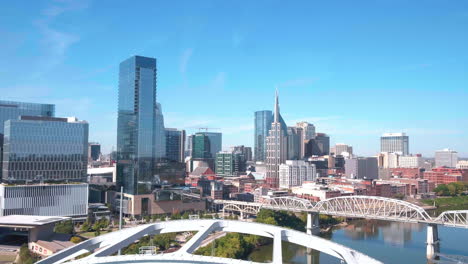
(369, 207)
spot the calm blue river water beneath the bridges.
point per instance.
(389, 242)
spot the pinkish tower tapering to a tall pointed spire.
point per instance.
(277, 152)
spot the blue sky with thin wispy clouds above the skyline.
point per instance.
(356, 69)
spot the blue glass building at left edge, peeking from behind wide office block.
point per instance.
(13, 110)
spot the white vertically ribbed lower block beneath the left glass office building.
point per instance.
(44, 199)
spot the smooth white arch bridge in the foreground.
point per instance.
(102, 248)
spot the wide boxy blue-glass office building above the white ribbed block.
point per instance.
(45, 149)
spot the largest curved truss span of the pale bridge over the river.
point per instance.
(372, 207)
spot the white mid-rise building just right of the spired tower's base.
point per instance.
(295, 172)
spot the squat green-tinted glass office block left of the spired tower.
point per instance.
(230, 164)
